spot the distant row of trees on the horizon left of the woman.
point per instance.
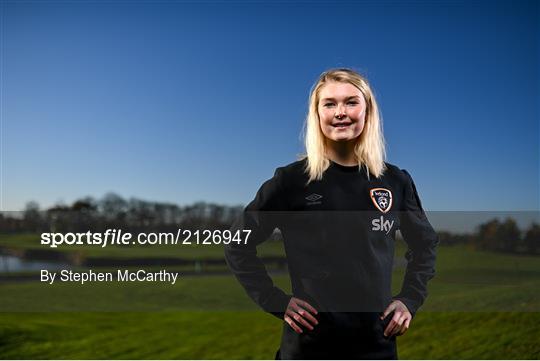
(113, 211)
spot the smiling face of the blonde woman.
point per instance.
(342, 110)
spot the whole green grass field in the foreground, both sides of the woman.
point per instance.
(481, 306)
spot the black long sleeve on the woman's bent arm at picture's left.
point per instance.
(259, 217)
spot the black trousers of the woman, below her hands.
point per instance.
(341, 336)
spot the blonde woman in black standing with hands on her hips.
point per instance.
(338, 209)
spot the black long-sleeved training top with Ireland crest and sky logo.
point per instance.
(339, 236)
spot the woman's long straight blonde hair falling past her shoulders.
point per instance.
(369, 148)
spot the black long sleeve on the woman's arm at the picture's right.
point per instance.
(422, 241)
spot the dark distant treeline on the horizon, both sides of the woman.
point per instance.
(113, 211)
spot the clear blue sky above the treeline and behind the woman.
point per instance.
(185, 101)
